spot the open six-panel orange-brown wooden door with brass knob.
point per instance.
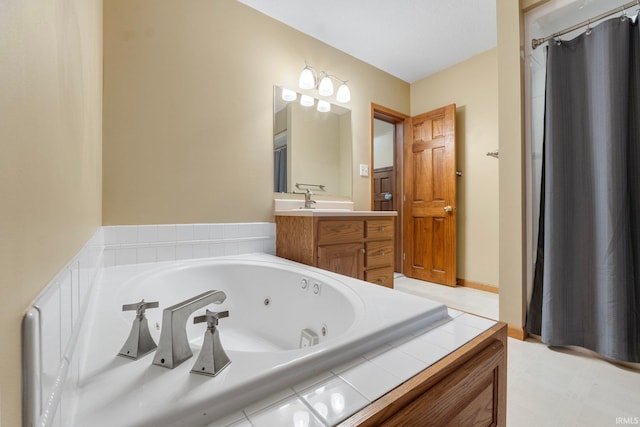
(430, 191)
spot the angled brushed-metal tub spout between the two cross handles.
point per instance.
(173, 348)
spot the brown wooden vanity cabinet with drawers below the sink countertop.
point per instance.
(356, 246)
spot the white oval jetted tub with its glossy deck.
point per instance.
(270, 302)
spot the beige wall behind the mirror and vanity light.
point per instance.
(188, 109)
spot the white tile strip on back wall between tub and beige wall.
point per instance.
(137, 244)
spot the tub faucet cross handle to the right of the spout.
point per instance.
(212, 358)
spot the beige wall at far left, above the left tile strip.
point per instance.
(50, 162)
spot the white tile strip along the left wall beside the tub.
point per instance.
(50, 330)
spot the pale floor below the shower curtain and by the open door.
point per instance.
(554, 387)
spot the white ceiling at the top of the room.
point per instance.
(409, 39)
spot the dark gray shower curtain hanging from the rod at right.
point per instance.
(587, 278)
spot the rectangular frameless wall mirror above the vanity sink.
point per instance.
(312, 149)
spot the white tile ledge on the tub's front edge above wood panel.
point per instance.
(328, 398)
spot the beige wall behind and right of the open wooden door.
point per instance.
(473, 86)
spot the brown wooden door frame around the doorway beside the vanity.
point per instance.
(402, 132)
